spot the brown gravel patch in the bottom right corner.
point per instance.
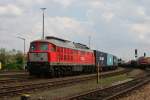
(142, 94)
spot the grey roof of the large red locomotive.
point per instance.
(65, 43)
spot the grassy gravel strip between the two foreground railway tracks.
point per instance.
(56, 94)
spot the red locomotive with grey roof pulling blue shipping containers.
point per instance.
(54, 56)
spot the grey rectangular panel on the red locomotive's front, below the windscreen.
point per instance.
(38, 57)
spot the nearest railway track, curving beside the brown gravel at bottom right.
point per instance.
(113, 92)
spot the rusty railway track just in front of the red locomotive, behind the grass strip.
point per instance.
(12, 90)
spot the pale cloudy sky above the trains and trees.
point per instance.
(115, 26)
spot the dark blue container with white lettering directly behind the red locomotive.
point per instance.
(100, 58)
